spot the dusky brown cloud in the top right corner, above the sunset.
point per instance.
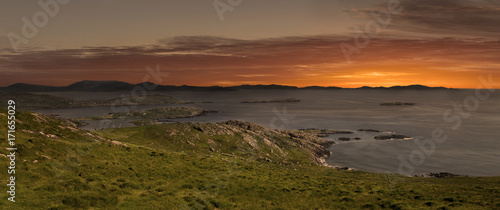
(473, 18)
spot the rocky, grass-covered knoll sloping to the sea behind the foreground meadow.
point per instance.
(238, 139)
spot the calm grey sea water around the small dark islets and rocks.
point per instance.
(471, 148)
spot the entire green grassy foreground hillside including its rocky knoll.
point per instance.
(230, 165)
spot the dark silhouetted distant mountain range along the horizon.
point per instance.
(109, 86)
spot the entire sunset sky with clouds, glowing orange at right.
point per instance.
(345, 43)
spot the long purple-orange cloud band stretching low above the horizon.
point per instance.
(205, 60)
